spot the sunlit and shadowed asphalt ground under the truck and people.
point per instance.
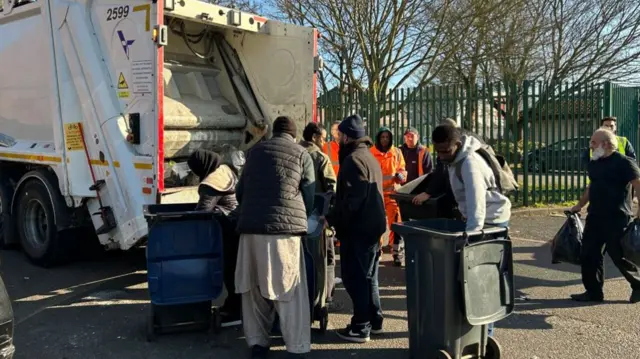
(98, 309)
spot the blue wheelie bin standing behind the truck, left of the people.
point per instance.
(184, 268)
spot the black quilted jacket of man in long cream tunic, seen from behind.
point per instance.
(276, 188)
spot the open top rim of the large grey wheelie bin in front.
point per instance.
(441, 227)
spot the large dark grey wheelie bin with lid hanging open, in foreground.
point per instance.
(457, 284)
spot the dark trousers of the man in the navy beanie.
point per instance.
(359, 263)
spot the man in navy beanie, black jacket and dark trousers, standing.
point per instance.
(359, 220)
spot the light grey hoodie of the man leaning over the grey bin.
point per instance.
(476, 202)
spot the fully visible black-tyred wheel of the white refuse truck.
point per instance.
(36, 226)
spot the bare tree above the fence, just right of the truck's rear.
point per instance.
(379, 45)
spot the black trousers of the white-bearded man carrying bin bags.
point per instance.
(603, 234)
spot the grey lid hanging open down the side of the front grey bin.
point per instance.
(487, 273)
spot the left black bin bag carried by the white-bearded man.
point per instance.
(567, 244)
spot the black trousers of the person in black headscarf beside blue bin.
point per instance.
(230, 244)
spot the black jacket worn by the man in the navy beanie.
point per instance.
(358, 213)
